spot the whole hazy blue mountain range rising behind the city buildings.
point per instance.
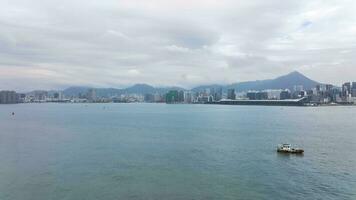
(283, 82)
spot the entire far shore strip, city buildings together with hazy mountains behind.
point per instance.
(291, 89)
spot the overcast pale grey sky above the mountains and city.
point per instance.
(112, 43)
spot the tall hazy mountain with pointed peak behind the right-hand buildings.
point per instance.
(283, 82)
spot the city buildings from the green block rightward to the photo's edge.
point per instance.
(321, 94)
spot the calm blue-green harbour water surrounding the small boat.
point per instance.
(158, 151)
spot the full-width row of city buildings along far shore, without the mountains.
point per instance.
(321, 94)
